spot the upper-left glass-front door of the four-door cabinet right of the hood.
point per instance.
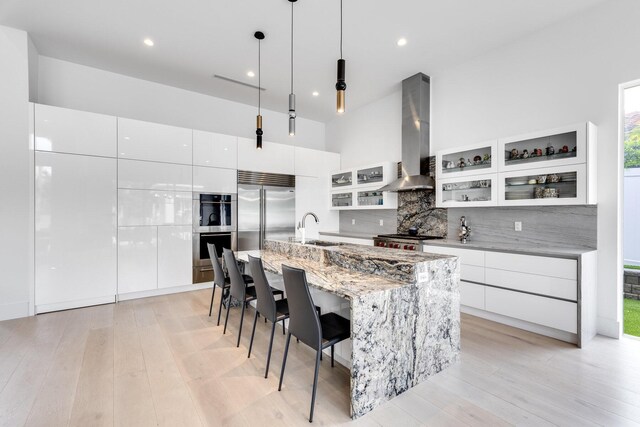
(467, 161)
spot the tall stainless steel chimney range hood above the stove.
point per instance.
(416, 106)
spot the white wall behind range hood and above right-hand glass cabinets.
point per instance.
(569, 72)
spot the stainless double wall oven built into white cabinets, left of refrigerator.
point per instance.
(214, 221)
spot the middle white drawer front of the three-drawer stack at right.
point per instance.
(551, 286)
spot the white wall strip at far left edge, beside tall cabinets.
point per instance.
(16, 256)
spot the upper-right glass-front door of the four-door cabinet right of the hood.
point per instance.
(556, 147)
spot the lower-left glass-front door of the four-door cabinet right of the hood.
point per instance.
(479, 190)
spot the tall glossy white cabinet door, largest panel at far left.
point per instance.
(75, 231)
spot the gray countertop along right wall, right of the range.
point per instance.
(524, 249)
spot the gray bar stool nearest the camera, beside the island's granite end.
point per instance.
(318, 332)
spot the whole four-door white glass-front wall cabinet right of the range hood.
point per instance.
(553, 167)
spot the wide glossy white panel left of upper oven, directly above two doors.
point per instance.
(148, 207)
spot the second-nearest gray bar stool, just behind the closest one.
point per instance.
(266, 305)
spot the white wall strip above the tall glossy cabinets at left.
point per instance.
(70, 85)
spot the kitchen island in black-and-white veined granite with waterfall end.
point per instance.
(404, 309)
